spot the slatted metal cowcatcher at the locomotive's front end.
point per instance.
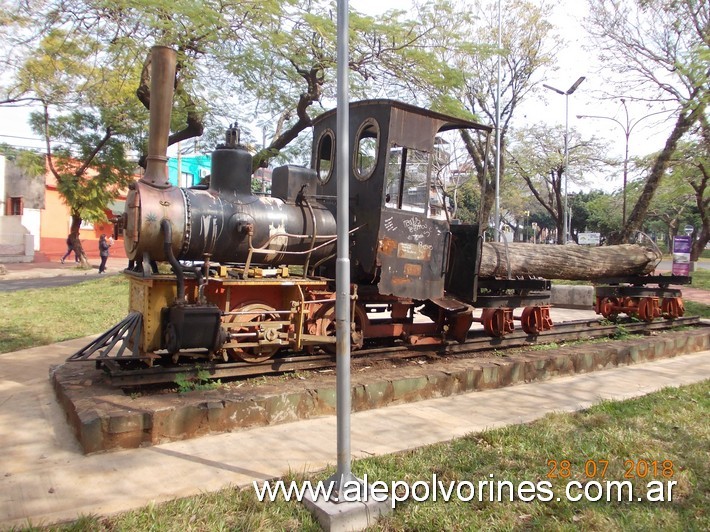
(122, 335)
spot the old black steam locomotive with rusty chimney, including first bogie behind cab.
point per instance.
(266, 263)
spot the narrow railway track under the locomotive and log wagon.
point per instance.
(563, 332)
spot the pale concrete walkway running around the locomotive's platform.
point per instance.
(44, 477)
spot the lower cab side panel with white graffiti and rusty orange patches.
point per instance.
(412, 254)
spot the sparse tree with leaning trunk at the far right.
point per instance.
(661, 49)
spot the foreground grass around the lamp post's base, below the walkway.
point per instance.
(668, 425)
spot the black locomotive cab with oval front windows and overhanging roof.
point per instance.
(401, 235)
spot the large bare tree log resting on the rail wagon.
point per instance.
(566, 262)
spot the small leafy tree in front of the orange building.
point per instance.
(87, 118)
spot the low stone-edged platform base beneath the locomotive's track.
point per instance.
(105, 418)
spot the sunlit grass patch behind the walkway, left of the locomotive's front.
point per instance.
(30, 318)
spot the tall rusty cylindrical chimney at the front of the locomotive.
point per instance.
(162, 83)
